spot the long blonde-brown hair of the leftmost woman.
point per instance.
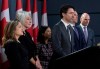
(9, 31)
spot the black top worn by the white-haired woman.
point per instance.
(28, 43)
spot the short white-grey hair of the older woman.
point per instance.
(21, 16)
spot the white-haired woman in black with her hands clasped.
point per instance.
(26, 39)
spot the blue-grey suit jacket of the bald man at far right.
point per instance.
(91, 37)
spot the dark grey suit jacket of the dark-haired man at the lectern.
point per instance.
(61, 41)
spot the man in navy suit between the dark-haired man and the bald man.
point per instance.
(79, 42)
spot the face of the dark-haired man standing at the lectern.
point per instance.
(69, 15)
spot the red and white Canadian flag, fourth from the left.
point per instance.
(35, 22)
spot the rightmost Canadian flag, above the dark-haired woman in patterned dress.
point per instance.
(44, 14)
